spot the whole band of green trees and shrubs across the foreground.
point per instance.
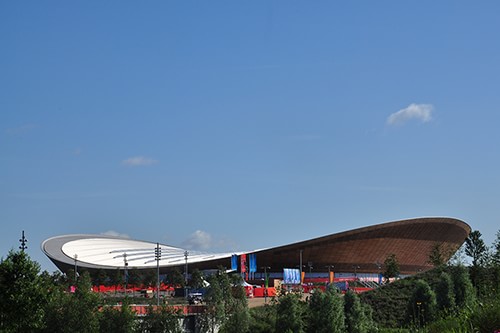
(453, 297)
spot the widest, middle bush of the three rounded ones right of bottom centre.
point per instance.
(326, 312)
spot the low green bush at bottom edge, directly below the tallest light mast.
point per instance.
(161, 319)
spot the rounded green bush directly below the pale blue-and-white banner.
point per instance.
(290, 314)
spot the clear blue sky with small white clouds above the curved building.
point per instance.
(230, 125)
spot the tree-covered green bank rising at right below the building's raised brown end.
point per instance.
(452, 297)
